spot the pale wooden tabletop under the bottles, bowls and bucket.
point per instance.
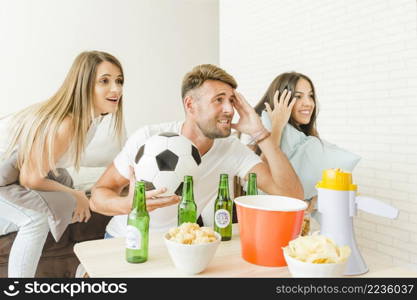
(106, 258)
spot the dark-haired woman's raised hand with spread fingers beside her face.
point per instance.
(282, 111)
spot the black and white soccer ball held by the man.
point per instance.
(164, 160)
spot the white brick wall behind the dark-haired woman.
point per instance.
(362, 58)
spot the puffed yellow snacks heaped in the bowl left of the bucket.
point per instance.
(192, 234)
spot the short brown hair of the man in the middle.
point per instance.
(196, 77)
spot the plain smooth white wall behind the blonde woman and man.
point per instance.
(157, 41)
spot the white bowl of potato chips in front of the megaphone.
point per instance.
(316, 256)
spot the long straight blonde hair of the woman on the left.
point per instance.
(35, 126)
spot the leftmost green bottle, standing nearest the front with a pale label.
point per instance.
(137, 237)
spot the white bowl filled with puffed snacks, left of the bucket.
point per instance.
(191, 247)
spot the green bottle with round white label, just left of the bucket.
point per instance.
(223, 210)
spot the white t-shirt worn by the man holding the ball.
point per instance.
(227, 155)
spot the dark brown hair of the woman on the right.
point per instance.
(289, 81)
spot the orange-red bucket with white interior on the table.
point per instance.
(267, 223)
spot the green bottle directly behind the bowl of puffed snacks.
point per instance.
(187, 209)
